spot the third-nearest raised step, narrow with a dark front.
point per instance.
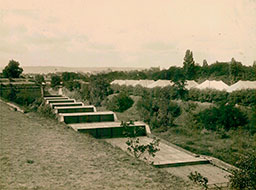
(74, 109)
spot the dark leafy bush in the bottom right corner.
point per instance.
(245, 176)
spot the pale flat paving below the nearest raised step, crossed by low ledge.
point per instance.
(180, 162)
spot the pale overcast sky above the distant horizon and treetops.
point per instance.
(126, 33)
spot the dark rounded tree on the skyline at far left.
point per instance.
(12, 70)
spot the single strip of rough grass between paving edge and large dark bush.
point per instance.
(228, 149)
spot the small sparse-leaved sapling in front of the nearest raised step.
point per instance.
(147, 151)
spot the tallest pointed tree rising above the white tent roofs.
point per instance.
(189, 65)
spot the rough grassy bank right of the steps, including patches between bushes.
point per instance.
(209, 143)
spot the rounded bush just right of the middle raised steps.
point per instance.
(120, 102)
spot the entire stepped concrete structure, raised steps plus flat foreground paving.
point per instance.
(105, 125)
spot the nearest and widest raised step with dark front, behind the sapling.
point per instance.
(110, 129)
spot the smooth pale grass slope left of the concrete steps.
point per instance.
(39, 153)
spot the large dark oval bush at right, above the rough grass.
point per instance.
(225, 116)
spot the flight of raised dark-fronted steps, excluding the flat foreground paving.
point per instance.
(86, 119)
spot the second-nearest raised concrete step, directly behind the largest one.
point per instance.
(87, 117)
